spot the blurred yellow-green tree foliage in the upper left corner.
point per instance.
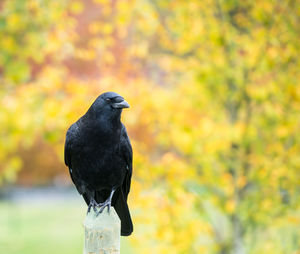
(31, 36)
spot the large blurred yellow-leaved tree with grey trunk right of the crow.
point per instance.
(236, 123)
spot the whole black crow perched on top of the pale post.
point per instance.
(99, 156)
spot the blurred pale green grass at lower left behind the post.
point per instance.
(44, 229)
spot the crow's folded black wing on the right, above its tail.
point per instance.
(126, 151)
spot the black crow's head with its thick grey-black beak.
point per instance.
(110, 104)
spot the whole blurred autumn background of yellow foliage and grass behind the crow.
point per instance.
(215, 99)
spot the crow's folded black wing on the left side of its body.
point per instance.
(71, 137)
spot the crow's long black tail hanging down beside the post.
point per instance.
(121, 207)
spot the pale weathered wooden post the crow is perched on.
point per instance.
(102, 232)
